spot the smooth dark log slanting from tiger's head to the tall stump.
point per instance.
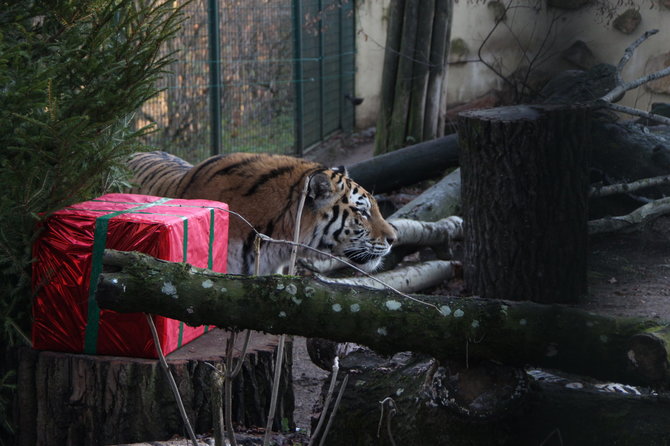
(406, 166)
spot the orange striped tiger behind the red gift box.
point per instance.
(339, 216)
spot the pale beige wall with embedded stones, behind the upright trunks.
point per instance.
(529, 33)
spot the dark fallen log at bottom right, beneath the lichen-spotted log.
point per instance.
(530, 410)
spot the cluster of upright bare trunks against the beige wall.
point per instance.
(414, 66)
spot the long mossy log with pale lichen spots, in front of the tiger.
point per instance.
(514, 333)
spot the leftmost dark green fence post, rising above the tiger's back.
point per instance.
(214, 76)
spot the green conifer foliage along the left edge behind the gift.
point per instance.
(72, 72)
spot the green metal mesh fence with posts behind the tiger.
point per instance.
(255, 76)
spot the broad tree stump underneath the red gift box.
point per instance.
(77, 399)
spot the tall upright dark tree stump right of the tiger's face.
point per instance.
(525, 190)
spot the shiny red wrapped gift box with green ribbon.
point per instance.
(68, 260)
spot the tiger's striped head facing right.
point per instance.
(349, 223)
